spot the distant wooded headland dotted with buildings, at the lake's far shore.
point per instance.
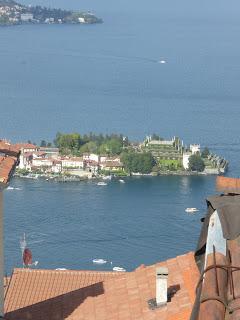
(13, 13)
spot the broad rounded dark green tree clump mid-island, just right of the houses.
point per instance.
(138, 162)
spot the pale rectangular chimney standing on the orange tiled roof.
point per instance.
(161, 286)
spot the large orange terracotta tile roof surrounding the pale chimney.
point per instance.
(90, 295)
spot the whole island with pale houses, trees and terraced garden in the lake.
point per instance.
(75, 158)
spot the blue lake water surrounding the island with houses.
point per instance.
(107, 78)
